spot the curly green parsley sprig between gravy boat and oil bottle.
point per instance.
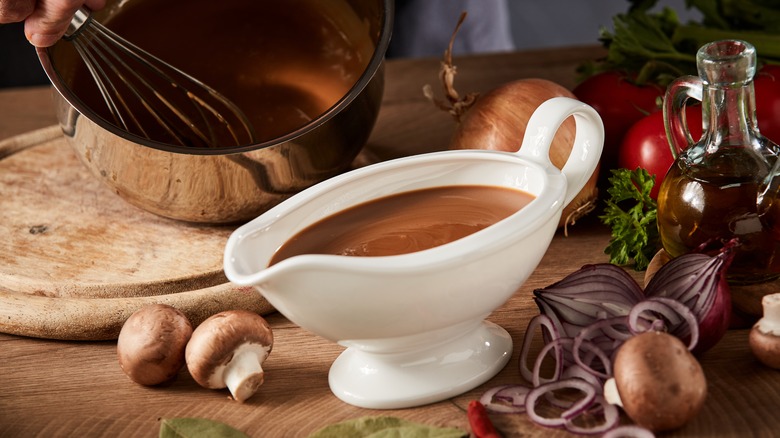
(631, 213)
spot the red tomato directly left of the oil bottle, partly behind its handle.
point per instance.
(645, 145)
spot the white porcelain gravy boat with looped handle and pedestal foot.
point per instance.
(414, 324)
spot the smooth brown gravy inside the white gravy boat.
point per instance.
(406, 222)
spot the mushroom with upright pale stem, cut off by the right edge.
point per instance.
(764, 338)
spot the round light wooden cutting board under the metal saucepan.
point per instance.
(76, 260)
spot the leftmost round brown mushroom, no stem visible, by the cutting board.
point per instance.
(151, 344)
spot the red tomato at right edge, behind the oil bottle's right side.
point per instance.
(767, 86)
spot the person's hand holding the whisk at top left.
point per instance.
(45, 21)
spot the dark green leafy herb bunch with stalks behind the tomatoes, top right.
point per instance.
(656, 47)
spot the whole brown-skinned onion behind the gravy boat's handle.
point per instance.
(497, 121)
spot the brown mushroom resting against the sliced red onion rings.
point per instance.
(657, 381)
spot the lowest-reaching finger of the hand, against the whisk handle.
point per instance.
(49, 21)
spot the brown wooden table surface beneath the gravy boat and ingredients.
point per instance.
(57, 388)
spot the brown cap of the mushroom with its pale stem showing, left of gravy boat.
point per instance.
(214, 342)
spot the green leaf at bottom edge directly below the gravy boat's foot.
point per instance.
(385, 427)
